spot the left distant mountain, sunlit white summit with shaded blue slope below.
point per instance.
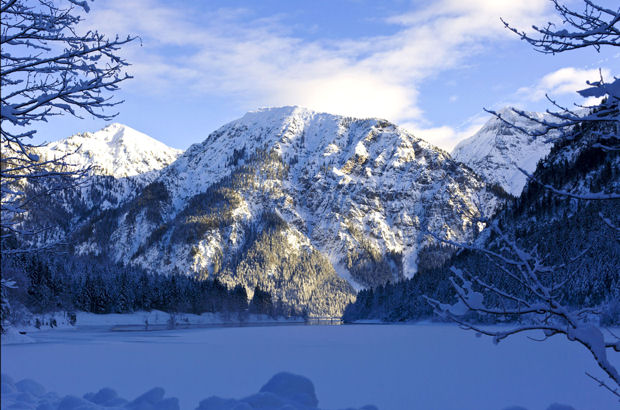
(121, 162)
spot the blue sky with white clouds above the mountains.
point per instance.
(430, 66)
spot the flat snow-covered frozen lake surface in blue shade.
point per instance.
(394, 367)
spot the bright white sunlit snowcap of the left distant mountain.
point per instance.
(117, 150)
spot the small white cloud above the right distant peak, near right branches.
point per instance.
(565, 81)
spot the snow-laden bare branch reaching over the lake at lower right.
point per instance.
(529, 292)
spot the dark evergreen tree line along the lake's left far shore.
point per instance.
(46, 284)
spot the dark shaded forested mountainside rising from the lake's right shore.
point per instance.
(568, 217)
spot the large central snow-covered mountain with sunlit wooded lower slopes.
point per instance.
(284, 198)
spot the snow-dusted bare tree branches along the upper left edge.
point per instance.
(48, 69)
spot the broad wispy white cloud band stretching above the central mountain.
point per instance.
(260, 61)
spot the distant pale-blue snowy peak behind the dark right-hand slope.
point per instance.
(498, 150)
